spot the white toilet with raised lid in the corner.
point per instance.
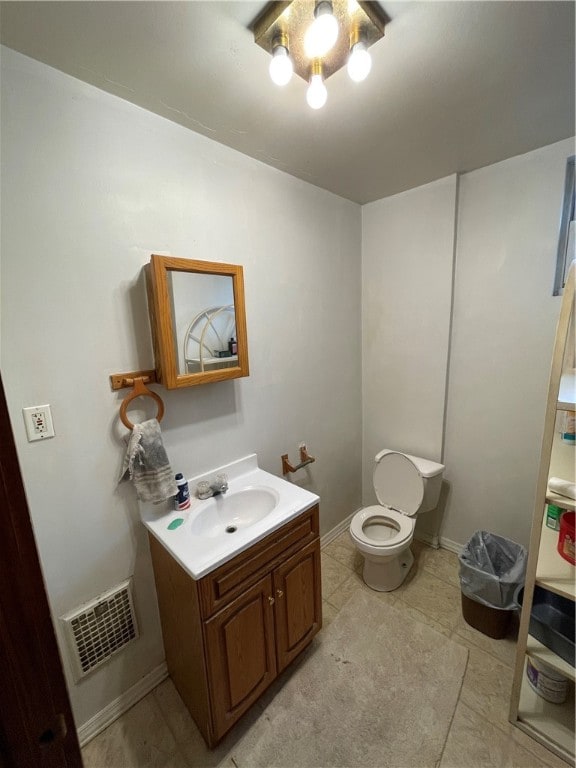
(405, 486)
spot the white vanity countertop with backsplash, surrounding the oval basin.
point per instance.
(199, 555)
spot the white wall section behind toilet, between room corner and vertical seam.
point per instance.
(407, 261)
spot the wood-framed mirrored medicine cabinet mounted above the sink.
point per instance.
(198, 321)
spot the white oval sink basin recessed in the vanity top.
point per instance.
(228, 513)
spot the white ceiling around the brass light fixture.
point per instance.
(454, 85)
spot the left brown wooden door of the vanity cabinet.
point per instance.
(240, 654)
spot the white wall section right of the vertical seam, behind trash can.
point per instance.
(503, 331)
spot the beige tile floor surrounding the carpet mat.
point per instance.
(159, 733)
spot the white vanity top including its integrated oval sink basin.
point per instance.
(212, 531)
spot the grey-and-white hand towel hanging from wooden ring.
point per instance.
(147, 465)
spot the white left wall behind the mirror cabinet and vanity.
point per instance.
(91, 186)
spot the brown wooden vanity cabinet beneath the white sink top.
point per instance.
(228, 635)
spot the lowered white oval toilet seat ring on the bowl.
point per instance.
(373, 516)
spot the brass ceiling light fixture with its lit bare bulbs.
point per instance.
(324, 35)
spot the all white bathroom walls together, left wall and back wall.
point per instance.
(91, 185)
